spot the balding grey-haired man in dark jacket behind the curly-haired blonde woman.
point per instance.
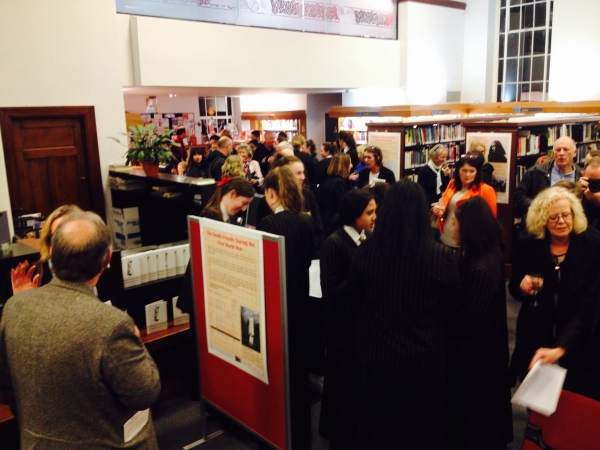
(542, 176)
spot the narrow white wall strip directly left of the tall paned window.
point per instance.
(480, 51)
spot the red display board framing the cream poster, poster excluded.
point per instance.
(259, 407)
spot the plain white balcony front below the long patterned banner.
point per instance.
(333, 66)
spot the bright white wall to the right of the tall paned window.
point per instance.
(575, 59)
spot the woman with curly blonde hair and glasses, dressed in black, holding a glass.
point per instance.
(553, 271)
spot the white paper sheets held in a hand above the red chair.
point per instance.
(540, 390)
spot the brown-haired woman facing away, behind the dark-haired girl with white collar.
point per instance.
(336, 186)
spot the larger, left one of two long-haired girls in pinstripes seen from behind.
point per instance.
(404, 284)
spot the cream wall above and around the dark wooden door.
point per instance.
(62, 53)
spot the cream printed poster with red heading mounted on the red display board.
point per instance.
(232, 263)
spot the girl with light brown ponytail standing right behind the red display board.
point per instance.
(284, 197)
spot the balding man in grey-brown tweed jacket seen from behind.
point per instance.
(73, 369)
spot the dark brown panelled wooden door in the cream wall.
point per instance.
(51, 157)
